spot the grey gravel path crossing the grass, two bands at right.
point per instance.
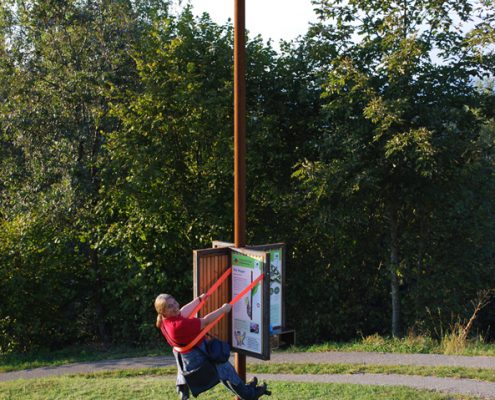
(462, 386)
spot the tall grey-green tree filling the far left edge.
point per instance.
(60, 59)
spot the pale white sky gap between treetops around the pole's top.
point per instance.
(273, 19)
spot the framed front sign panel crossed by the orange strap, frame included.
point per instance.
(251, 314)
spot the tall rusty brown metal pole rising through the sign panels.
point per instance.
(240, 142)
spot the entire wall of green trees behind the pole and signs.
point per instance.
(370, 152)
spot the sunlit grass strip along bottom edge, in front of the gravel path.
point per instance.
(155, 388)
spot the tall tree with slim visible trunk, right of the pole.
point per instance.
(402, 118)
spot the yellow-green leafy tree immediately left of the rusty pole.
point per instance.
(168, 179)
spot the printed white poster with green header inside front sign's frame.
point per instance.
(247, 320)
